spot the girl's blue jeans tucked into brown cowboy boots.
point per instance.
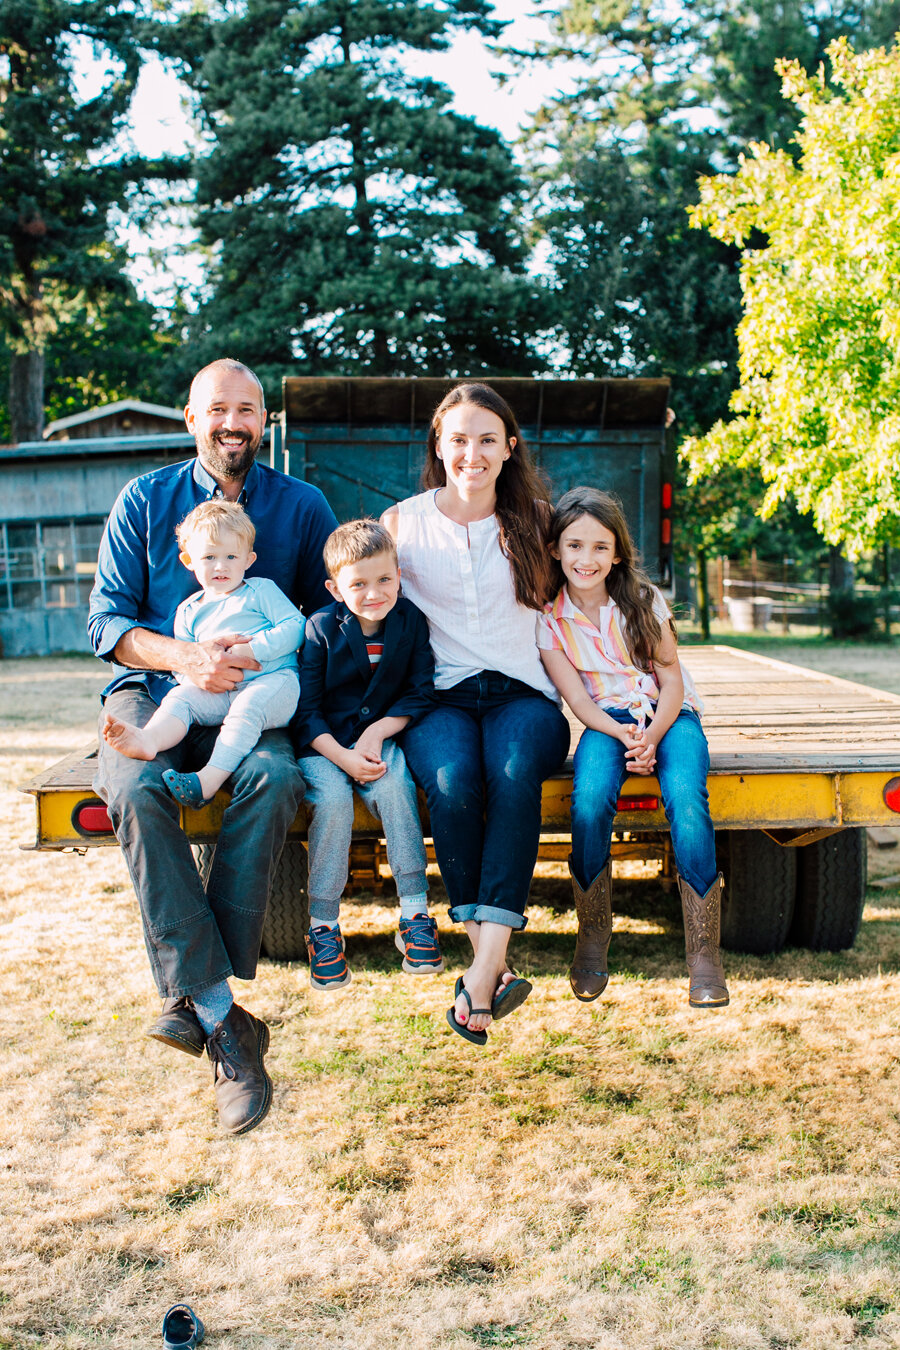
(682, 767)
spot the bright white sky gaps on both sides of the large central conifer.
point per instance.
(161, 124)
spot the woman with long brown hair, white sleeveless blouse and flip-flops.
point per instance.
(473, 558)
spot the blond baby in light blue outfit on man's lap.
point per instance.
(254, 619)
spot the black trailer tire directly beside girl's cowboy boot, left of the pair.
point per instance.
(760, 886)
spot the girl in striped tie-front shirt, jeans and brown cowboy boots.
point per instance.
(609, 645)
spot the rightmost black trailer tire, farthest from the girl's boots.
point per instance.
(832, 890)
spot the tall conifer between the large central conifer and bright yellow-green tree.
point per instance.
(615, 167)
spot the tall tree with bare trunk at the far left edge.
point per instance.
(61, 172)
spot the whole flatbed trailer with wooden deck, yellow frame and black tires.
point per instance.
(802, 763)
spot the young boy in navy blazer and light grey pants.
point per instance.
(366, 673)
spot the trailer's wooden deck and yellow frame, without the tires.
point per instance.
(793, 753)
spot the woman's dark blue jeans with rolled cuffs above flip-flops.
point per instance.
(481, 757)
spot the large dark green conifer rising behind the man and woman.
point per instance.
(357, 222)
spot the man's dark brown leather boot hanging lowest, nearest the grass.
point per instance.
(244, 1089)
